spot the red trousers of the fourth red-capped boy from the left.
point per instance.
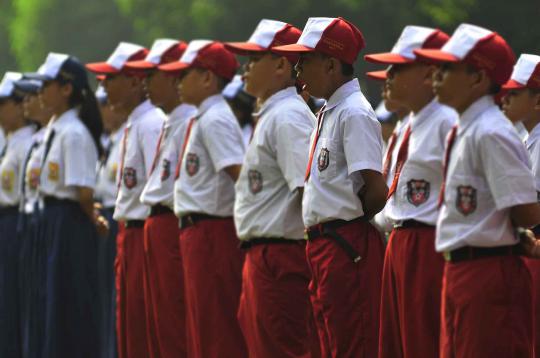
(275, 312)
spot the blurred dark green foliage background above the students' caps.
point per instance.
(90, 30)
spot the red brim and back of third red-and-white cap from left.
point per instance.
(214, 57)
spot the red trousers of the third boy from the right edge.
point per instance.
(411, 295)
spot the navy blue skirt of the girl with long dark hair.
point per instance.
(71, 282)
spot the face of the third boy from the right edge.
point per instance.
(404, 80)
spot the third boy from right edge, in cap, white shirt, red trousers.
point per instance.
(412, 275)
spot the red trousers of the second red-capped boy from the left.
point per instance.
(164, 287)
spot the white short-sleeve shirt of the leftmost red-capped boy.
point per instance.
(142, 128)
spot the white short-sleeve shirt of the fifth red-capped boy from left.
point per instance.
(350, 141)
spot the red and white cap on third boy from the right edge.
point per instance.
(412, 38)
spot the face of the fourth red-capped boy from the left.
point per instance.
(259, 73)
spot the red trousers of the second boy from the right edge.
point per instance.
(487, 309)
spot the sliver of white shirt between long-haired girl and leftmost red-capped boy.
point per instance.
(107, 182)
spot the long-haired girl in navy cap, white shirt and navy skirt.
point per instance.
(68, 225)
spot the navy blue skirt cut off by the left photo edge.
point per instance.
(9, 284)
